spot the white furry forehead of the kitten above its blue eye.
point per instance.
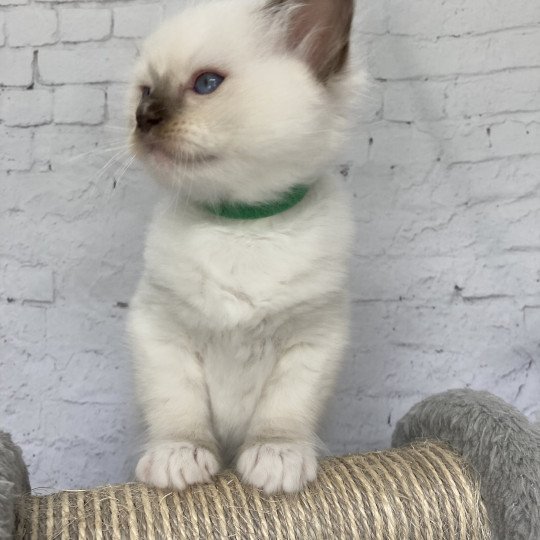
(211, 35)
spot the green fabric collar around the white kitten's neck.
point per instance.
(241, 211)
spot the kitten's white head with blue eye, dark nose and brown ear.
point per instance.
(239, 99)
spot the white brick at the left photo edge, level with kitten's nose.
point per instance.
(26, 107)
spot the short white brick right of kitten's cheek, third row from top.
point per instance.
(414, 100)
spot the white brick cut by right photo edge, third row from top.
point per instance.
(496, 93)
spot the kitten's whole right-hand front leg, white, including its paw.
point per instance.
(279, 454)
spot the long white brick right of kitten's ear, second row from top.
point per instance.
(401, 57)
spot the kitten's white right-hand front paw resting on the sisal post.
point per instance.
(278, 466)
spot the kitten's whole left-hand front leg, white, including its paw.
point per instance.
(172, 391)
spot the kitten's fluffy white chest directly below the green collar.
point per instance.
(224, 274)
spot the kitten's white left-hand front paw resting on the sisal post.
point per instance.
(176, 466)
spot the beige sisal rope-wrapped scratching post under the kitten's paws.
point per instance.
(414, 493)
